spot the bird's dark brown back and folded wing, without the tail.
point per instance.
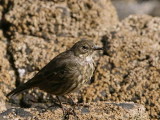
(60, 66)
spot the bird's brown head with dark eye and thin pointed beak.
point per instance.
(84, 48)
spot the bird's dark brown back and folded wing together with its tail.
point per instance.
(54, 71)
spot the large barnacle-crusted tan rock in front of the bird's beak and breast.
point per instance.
(130, 72)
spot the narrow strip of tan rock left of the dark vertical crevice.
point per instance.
(7, 76)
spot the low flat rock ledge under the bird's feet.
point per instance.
(94, 111)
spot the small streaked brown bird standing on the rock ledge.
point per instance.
(66, 72)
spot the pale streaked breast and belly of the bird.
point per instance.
(83, 73)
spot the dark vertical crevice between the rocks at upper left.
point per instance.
(5, 25)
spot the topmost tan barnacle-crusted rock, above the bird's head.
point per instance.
(72, 18)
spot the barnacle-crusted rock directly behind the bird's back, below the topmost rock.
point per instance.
(32, 53)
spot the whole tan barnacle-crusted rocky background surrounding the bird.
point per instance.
(126, 82)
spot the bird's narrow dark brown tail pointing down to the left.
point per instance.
(21, 88)
